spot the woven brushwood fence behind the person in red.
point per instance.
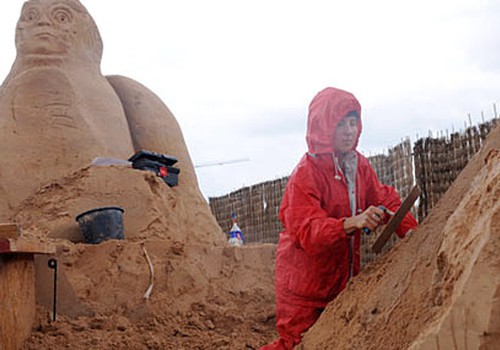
(432, 163)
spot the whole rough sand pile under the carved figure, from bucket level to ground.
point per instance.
(206, 295)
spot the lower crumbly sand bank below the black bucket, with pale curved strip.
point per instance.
(218, 298)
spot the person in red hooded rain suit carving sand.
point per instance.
(332, 194)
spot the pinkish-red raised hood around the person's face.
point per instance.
(326, 110)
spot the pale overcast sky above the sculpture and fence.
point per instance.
(239, 75)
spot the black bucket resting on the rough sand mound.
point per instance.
(101, 224)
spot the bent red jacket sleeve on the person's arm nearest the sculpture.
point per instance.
(303, 216)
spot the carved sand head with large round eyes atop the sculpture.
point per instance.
(57, 28)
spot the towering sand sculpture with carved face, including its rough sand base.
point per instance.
(57, 113)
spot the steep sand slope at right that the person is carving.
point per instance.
(437, 290)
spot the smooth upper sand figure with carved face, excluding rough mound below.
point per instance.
(58, 112)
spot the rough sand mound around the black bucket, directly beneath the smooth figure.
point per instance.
(152, 209)
